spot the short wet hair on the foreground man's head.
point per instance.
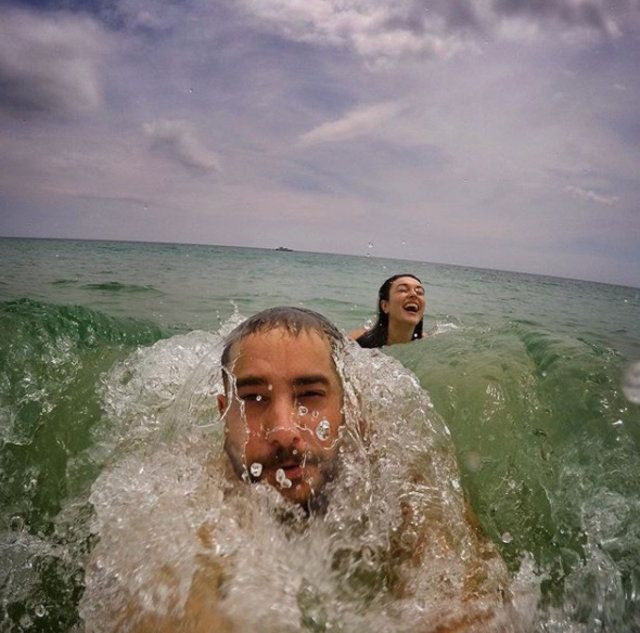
(290, 318)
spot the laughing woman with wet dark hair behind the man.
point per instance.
(401, 305)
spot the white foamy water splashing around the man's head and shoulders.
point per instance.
(169, 513)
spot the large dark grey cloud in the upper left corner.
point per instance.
(49, 63)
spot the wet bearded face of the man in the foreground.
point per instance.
(283, 416)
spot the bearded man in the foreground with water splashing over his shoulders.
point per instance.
(383, 524)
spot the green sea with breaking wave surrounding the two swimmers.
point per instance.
(536, 378)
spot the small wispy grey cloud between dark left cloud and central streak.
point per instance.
(178, 140)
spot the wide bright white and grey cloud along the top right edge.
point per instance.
(382, 31)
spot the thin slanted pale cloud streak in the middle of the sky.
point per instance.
(356, 123)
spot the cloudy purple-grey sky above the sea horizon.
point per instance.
(494, 133)
